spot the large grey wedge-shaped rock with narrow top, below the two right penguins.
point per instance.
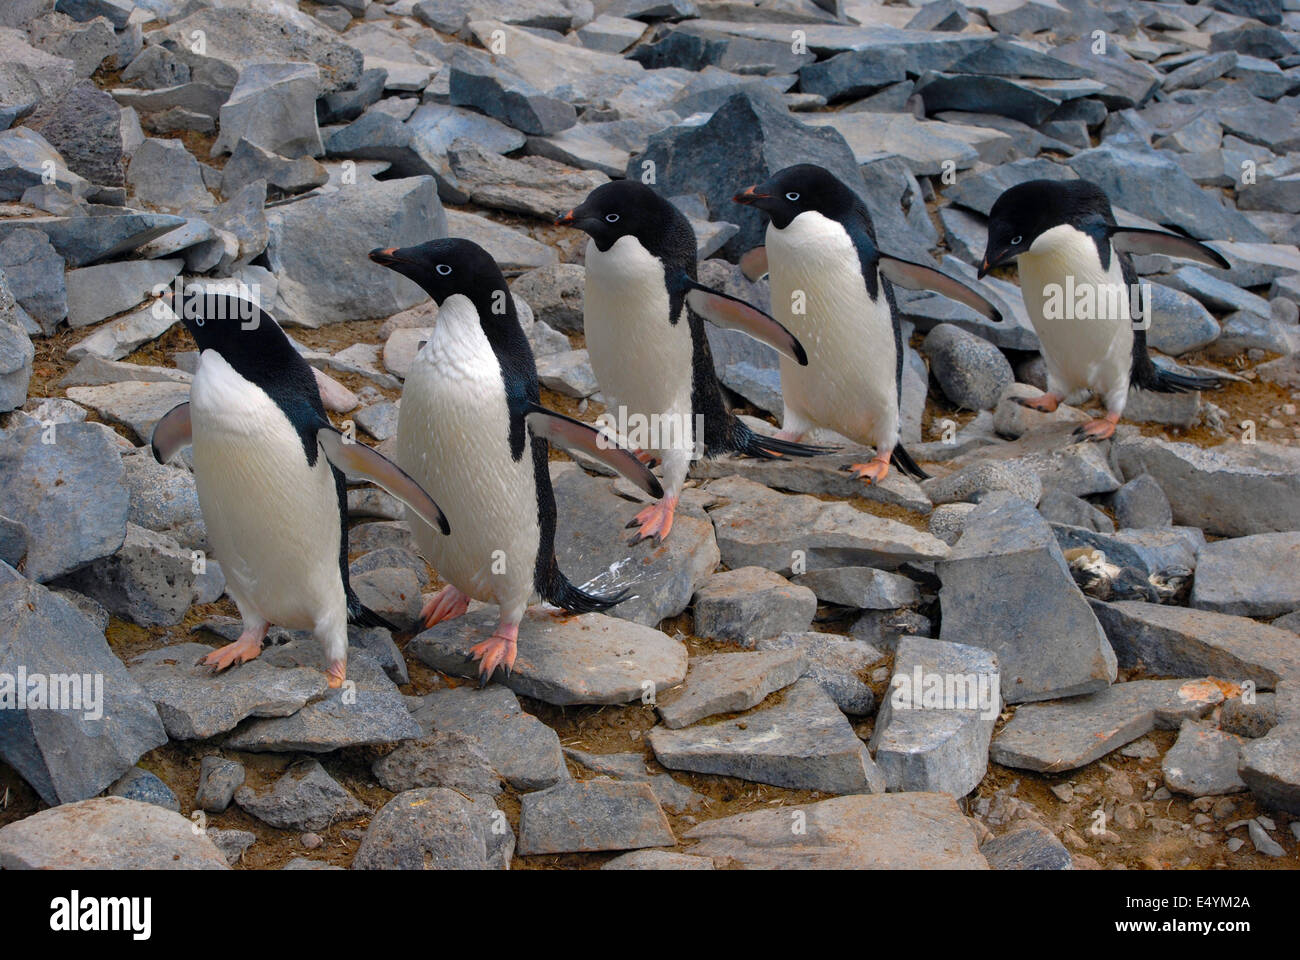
(1007, 589)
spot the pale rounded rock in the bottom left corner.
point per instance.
(107, 834)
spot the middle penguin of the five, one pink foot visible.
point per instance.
(643, 315)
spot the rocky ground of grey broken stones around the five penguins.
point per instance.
(1132, 606)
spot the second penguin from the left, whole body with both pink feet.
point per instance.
(473, 429)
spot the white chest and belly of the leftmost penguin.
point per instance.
(272, 520)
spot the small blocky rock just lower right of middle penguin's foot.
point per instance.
(749, 603)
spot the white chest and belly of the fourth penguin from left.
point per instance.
(818, 292)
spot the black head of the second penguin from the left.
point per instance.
(448, 267)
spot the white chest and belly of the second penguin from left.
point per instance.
(454, 439)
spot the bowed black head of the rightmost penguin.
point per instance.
(1024, 213)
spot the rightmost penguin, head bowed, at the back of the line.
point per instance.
(1071, 252)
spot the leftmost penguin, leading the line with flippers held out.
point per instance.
(268, 469)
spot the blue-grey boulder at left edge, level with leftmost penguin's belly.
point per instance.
(70, 495)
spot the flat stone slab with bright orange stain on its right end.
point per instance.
(1069, 734)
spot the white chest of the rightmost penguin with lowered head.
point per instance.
(1080, 310)
